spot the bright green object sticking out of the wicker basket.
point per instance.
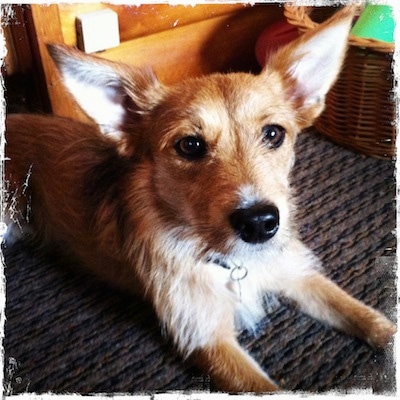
(375, 22)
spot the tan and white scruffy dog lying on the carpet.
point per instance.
(182, 195)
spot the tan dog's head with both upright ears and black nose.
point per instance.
(219, 147)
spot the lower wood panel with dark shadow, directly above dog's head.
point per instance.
(217, 44)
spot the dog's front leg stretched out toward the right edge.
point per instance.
(324, 300)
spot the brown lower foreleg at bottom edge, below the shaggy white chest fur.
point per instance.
(232, 369)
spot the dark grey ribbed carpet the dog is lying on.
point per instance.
(66, 332)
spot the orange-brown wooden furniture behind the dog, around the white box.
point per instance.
(177, 41)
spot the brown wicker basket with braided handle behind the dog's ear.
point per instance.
(360, 108)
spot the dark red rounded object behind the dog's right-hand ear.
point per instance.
(273, 37)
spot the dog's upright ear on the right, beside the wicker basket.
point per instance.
(311, 64)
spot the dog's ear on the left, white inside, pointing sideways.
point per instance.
(110, 93)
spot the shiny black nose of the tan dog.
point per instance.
(255, 224)
